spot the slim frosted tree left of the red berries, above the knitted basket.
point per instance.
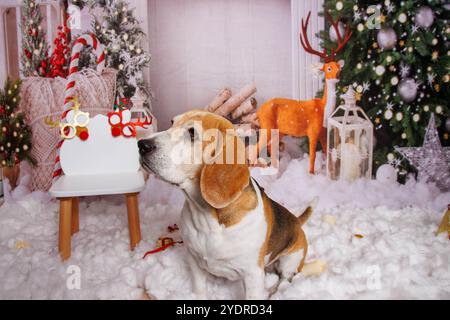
(34, 44)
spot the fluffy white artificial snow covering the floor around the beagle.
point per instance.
(395, 254)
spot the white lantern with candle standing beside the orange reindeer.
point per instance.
(350, 141)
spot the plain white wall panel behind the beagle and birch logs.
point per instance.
(200, 46)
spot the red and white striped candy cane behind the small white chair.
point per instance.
(79, 44)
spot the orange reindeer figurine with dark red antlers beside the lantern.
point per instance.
(309, 117)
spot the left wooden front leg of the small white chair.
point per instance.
(65, 222)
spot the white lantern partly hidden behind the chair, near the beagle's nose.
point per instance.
(140, 112)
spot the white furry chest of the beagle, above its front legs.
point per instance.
(224, 252)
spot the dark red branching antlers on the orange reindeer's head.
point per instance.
(341, 42)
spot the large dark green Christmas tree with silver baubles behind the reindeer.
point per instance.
(398, 62)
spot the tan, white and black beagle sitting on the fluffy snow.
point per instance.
(230, 227)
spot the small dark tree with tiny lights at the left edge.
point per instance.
(15, 135)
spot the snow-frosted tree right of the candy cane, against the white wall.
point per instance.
(119, 31)
